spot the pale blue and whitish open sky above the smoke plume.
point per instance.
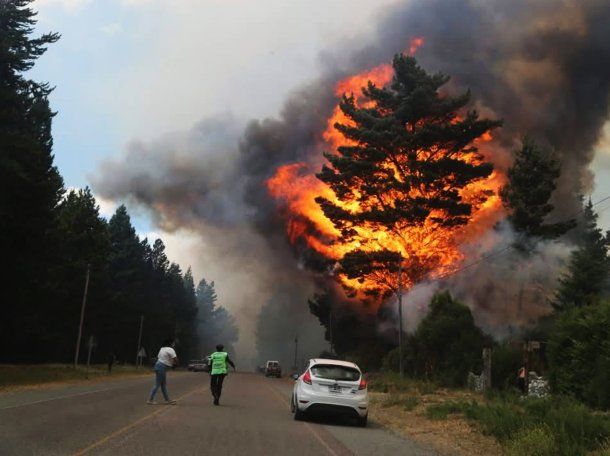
(128, 70)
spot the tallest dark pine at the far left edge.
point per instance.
(30, 185)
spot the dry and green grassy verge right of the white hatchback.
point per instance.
(456, 421)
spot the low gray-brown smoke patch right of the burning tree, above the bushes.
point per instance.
(508, 290)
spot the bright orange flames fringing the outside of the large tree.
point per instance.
(436, 248)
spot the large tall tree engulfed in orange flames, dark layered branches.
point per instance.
(405, 178)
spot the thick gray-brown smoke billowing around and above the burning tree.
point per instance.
(543, 66)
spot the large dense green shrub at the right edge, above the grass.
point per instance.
(579, 354)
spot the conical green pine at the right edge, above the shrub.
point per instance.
(588, 275)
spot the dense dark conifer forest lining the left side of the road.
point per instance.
(53, 239)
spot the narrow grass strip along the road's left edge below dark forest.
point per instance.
(12, 376)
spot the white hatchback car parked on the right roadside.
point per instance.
(330, 386)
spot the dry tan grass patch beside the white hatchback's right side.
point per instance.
(452, 436)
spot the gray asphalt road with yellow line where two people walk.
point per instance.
(112, 418)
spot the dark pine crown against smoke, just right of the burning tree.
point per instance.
(531, 182)
